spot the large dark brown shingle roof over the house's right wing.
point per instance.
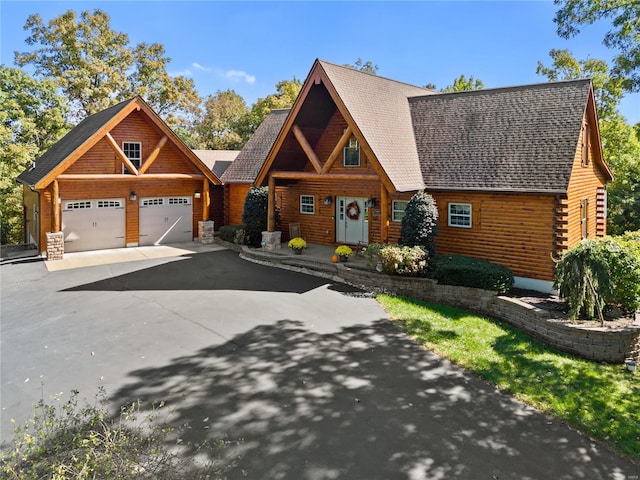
(507, 139)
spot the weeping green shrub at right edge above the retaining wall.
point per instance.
(599, 273)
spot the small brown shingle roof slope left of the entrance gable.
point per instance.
(247, 164)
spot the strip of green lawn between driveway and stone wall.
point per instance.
(601, 400)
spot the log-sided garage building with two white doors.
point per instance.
(120, 178)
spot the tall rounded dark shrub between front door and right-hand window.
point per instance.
(420, 223)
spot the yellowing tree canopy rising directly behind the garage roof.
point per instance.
(95, 66)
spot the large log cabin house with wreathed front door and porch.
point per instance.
(517, 173)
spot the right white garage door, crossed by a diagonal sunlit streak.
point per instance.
(165, 220)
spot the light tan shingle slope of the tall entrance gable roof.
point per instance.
(380, 109)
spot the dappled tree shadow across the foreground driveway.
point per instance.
(364, 402)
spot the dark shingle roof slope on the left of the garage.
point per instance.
(73, 140)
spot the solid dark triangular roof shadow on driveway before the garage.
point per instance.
(221, 270)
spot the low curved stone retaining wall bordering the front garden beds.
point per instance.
(612, 345)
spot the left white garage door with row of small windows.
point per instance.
(93, 224)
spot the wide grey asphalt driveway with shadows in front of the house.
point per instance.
(310, 374)
